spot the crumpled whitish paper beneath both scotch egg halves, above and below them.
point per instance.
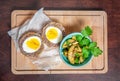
(49, 56)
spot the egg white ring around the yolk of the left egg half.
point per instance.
(26, 48)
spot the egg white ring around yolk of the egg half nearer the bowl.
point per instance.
(58, 38)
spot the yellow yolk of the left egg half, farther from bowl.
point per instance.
(33, 43)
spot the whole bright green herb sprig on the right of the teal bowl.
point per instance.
(88, 46)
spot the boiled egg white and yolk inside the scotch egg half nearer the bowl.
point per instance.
(53, 34)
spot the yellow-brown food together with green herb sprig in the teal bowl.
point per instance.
(79, 47)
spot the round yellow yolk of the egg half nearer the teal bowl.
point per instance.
(51, 34)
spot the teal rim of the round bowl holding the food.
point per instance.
(60, 48)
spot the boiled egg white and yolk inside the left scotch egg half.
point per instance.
(31, 44)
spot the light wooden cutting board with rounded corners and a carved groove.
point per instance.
(73, 21)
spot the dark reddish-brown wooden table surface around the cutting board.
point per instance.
(112, 7)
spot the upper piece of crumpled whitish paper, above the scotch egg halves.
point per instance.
(35, 24)
